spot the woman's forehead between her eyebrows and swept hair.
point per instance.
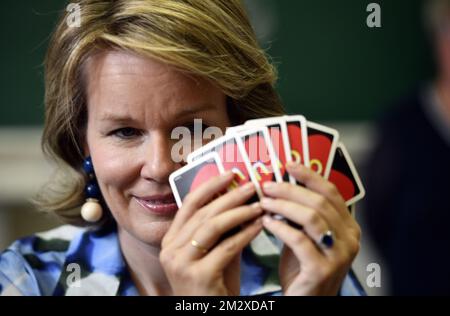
(122, 82)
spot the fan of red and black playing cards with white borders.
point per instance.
(258, 151)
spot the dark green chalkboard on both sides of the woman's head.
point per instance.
(332, 66)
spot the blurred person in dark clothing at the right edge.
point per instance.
(408, 177)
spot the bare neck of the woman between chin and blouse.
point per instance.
(144, 265)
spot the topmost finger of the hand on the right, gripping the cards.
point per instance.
(317, 183)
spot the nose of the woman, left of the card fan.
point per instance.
(158, 163)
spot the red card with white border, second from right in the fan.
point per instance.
(322, 143)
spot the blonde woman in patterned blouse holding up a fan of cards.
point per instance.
(115, 89)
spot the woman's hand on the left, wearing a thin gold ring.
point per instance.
(212, 266)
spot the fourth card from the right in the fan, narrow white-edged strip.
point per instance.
(277, 132)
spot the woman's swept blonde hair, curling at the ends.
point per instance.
(210, 38)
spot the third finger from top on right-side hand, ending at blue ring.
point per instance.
(312, 221)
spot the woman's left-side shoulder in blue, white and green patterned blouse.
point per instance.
(32, 265)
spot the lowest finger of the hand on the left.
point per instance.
(221, 255)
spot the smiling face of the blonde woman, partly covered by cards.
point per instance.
(134, 103)
